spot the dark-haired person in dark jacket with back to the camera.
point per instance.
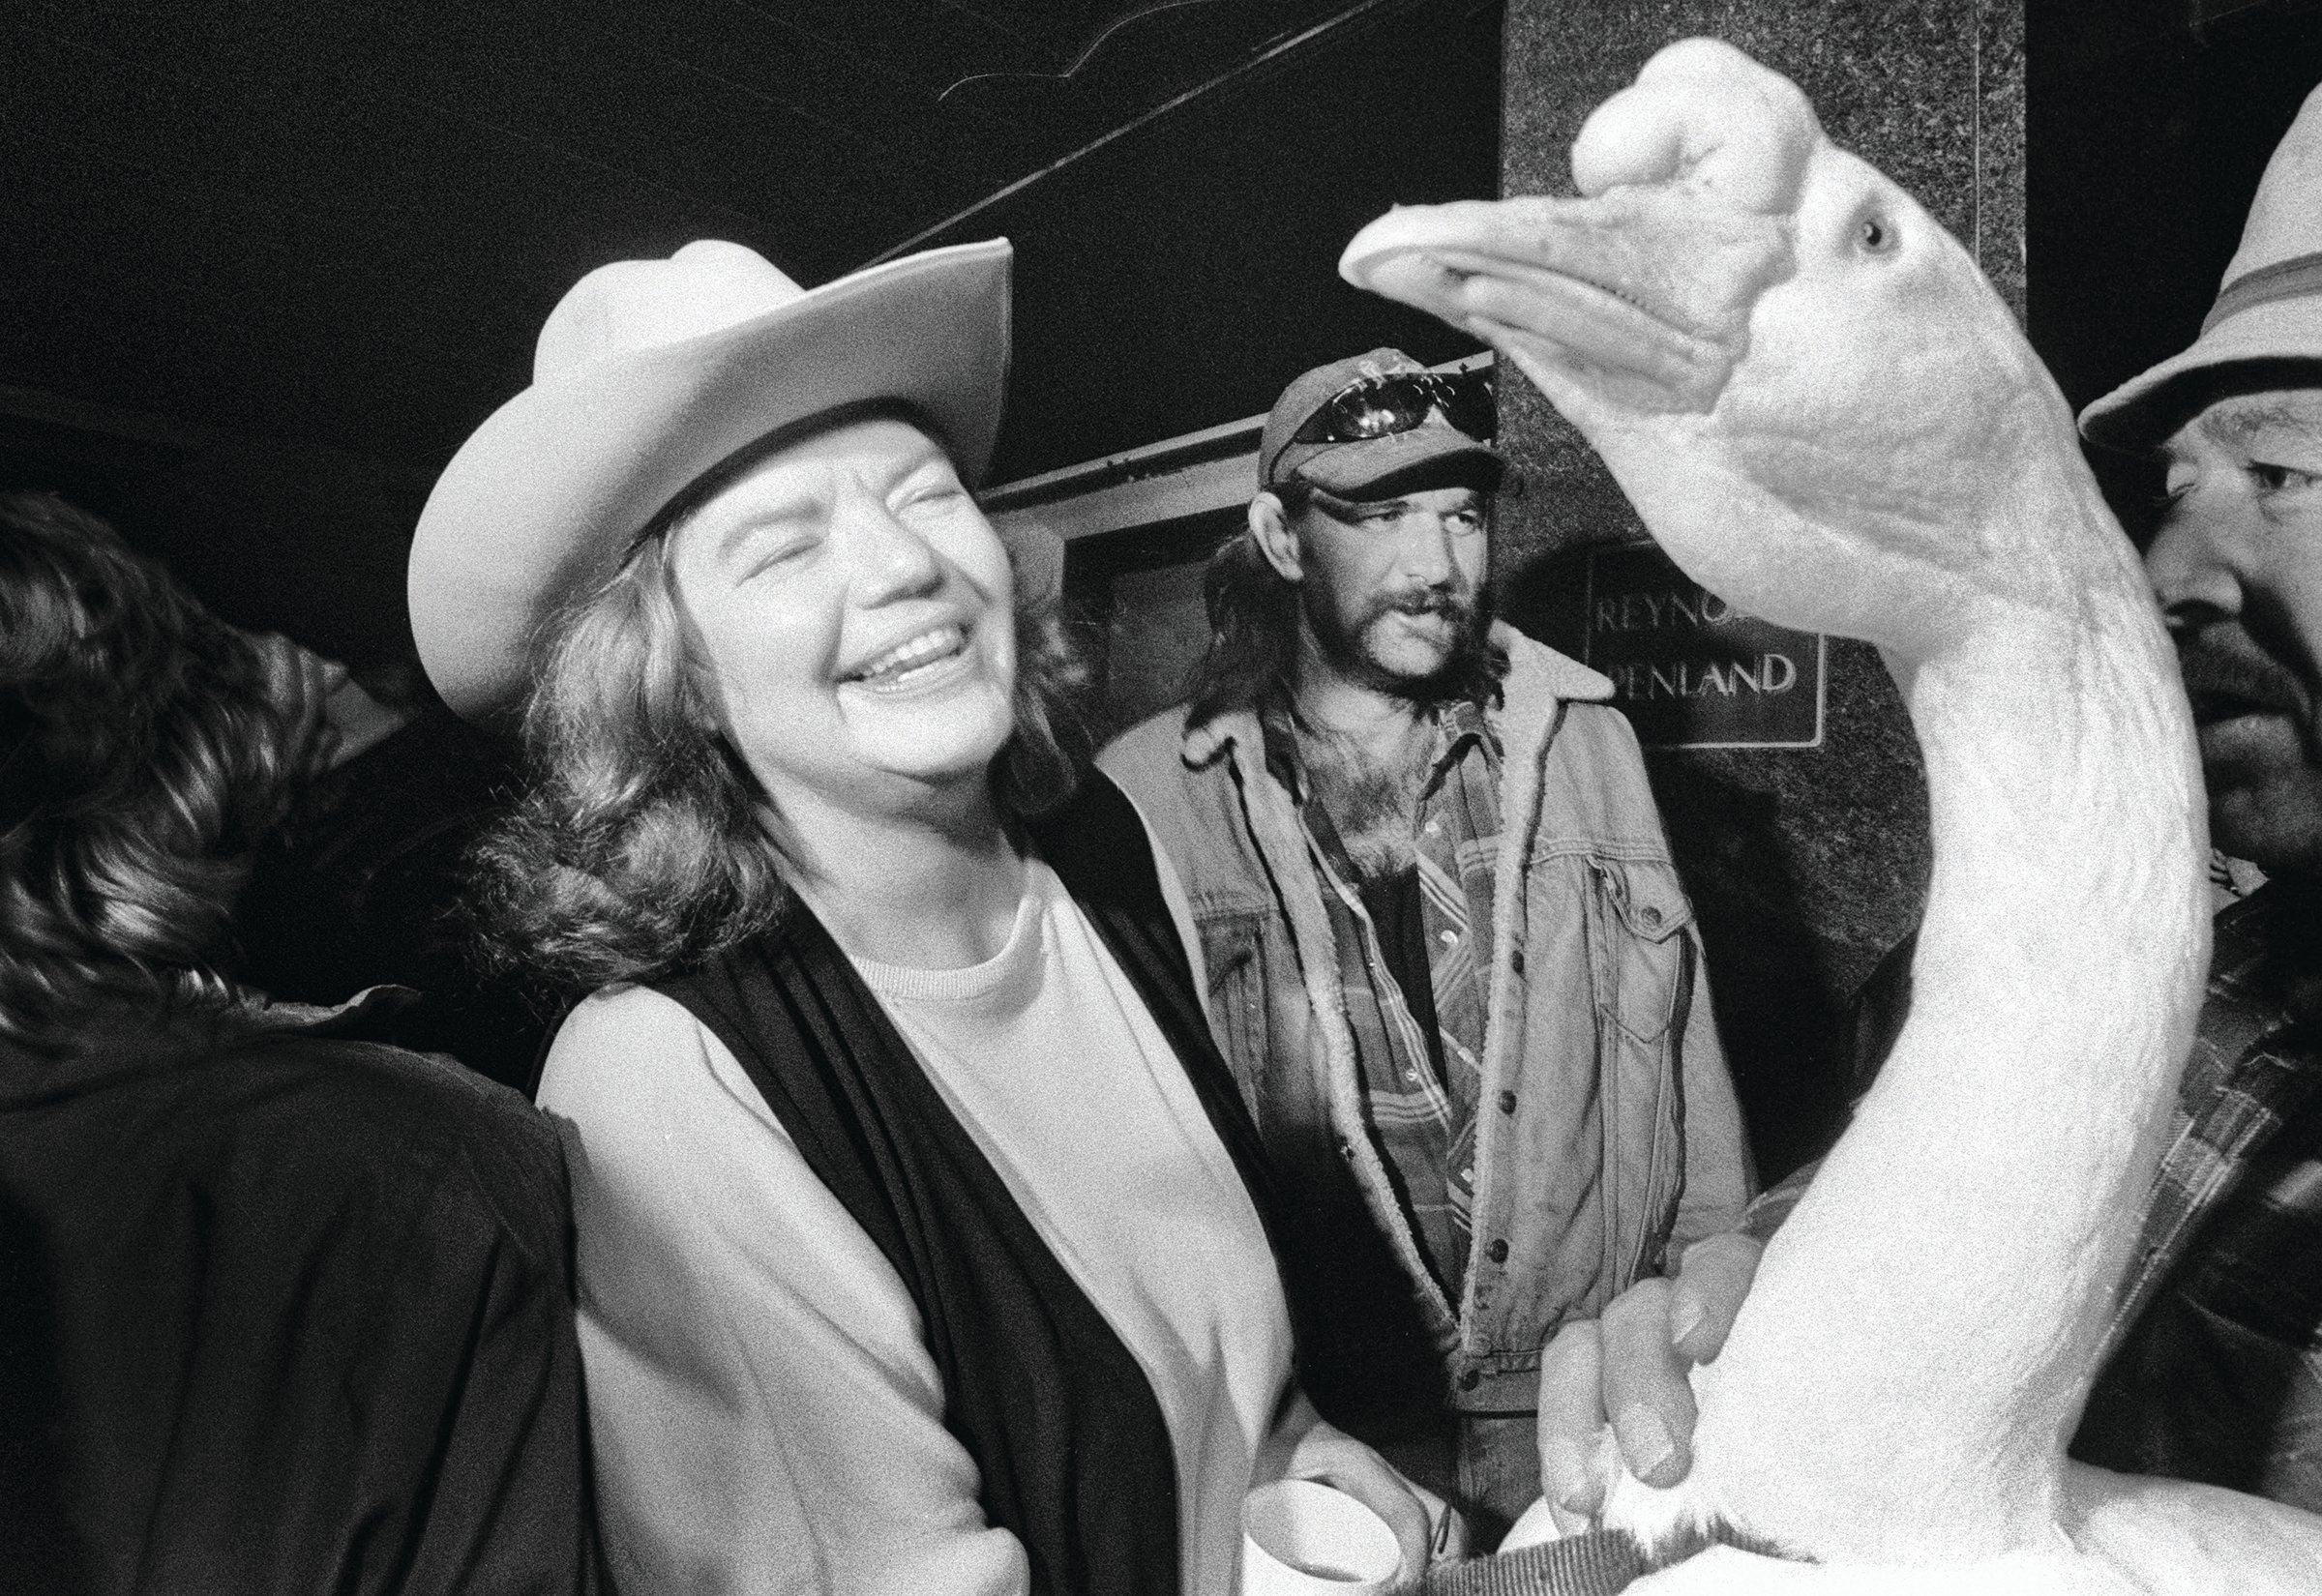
(280, 1310)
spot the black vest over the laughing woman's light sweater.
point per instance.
(1065, 1430)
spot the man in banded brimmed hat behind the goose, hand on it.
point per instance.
(2214, 1363)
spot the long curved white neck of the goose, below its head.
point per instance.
(1952, 1270)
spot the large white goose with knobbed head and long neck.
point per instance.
(1826, 416)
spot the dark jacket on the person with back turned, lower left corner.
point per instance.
(282, 1312)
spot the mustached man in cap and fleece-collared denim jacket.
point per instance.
(1448, 955)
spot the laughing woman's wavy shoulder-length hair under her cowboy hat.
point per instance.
(640, 843)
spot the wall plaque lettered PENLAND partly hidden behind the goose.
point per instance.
(1689, 669)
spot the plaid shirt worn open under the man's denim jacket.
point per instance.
(1415, 1003)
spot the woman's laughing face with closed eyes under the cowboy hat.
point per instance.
(853, 621)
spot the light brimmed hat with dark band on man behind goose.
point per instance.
(2267, 310)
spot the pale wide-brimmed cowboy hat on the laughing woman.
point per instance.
(647, 377)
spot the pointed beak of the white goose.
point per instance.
(1640, 293)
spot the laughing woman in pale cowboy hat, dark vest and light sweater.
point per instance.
(921, 1235)
